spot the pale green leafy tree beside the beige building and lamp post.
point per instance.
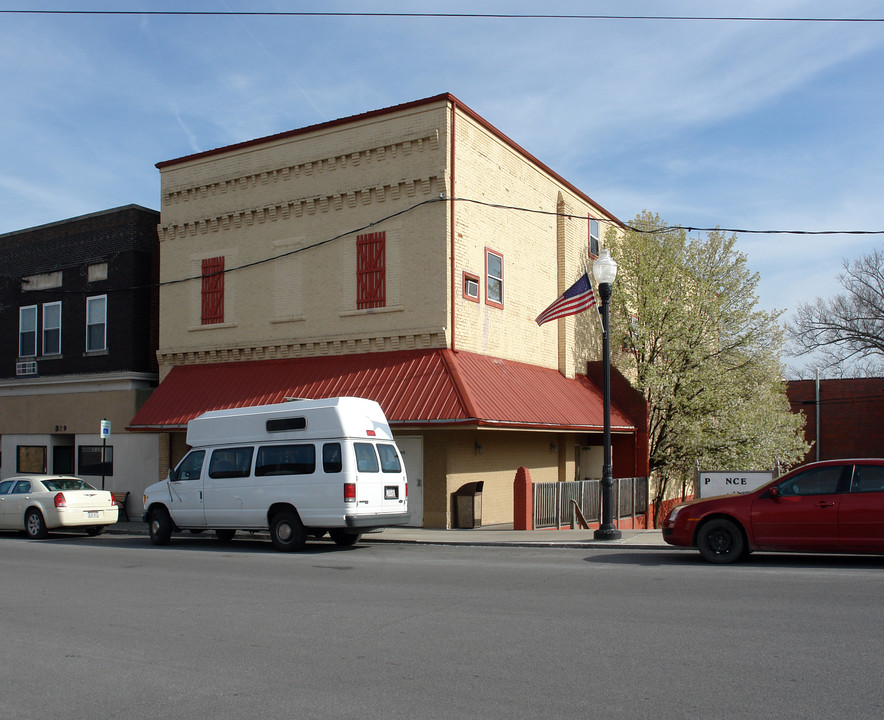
(684, 311)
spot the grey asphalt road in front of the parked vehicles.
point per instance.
(112, 627)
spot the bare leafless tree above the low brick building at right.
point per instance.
(847, 329)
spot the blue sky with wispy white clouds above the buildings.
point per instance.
(755, 125)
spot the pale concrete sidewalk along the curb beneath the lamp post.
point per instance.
(503, 535)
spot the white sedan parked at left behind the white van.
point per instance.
(40, 503)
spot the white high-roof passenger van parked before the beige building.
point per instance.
(297, 469)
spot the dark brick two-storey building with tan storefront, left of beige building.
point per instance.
(80, 321)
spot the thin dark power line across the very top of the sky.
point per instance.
(443, 15)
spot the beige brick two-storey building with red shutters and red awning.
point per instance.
(402, 254)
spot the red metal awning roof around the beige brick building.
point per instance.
(419, 387)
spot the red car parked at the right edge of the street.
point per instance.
(832, 506)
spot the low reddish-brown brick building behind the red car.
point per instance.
(850, 412)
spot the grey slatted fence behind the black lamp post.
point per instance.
(556, 503)
